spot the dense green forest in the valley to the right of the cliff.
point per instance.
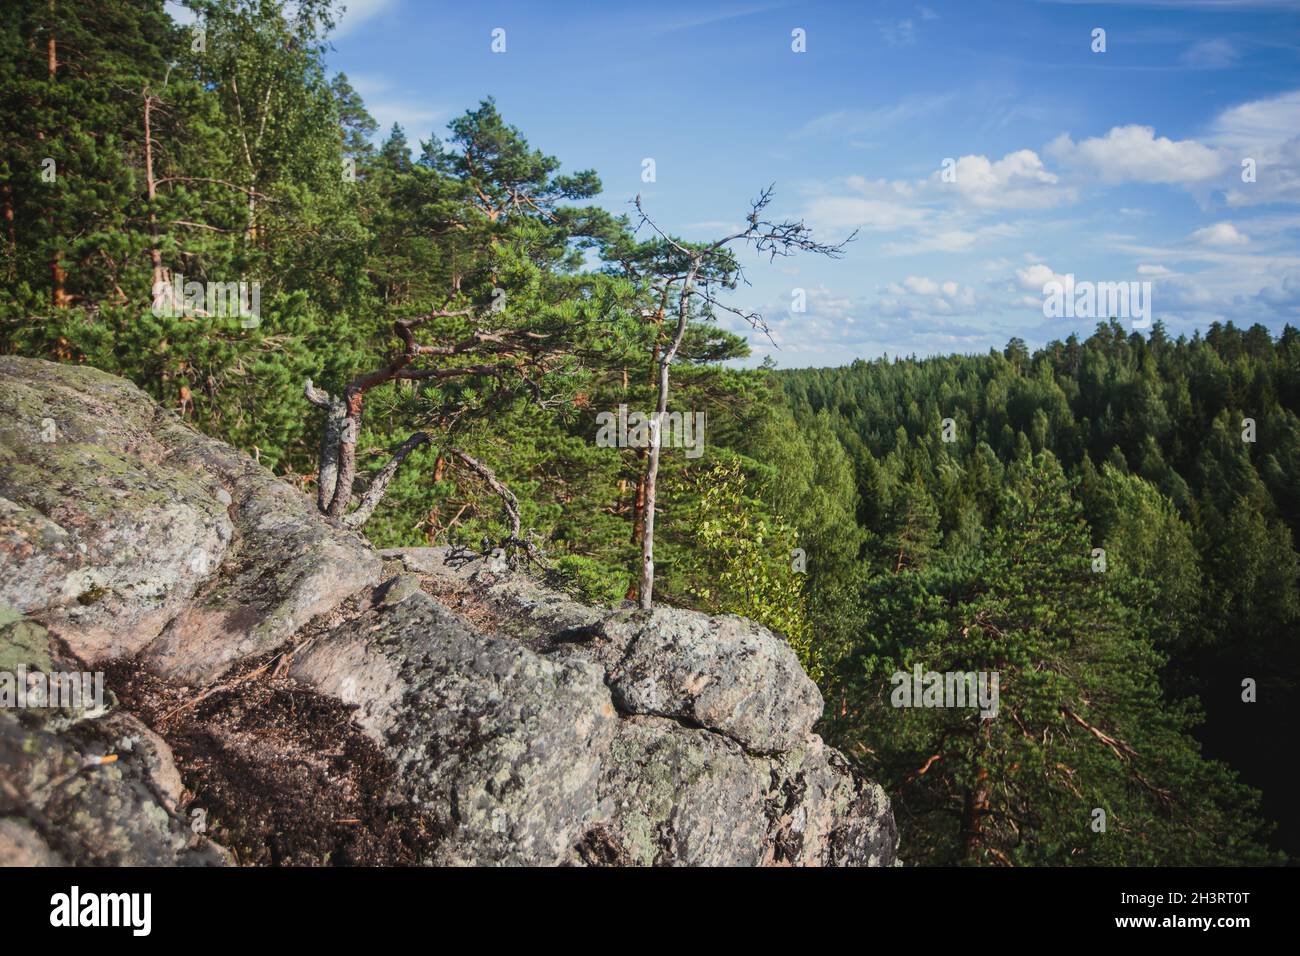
(1119, 595)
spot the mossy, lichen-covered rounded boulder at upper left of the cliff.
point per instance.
(125, 531)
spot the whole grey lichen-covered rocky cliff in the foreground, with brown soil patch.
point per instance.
(280, 693)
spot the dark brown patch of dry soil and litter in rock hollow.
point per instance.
(276, 773)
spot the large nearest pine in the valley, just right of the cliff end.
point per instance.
(1081, 723)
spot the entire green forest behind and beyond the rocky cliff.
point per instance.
(440, 332)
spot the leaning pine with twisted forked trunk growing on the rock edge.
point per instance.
(458, 369)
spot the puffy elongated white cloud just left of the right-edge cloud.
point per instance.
(1134, 154)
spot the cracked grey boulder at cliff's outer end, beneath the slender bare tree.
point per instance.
(713, 762)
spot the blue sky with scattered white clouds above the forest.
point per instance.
(1115, 167)
